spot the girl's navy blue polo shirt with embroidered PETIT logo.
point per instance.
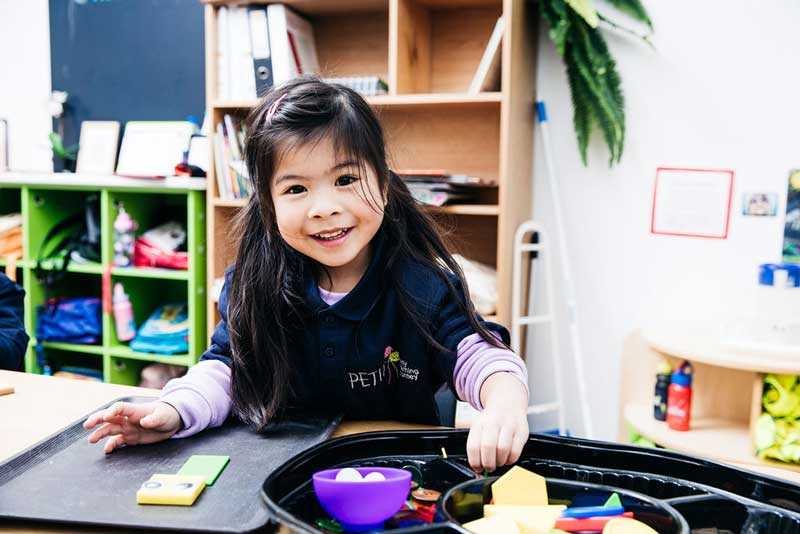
(363, 356)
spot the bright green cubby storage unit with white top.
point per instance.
(46, 199)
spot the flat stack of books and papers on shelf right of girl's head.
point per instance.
(439, 187)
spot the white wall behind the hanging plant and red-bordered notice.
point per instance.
(719, 91)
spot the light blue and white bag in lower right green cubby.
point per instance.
(166, 331)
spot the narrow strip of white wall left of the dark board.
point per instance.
(25, 82)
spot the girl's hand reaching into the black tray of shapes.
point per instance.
(500, 431)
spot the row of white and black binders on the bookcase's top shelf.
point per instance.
(260, 46)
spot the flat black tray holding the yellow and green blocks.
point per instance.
(64, 479)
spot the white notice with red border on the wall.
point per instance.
(692, 202)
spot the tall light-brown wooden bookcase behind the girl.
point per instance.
(427, 51)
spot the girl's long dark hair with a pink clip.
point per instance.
(266, 306)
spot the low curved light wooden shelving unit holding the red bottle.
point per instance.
(726, 396)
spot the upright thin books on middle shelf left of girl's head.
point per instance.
(232, 179)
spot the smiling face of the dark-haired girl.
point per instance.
(328, 208)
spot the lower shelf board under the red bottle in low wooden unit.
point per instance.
(730, 440)
